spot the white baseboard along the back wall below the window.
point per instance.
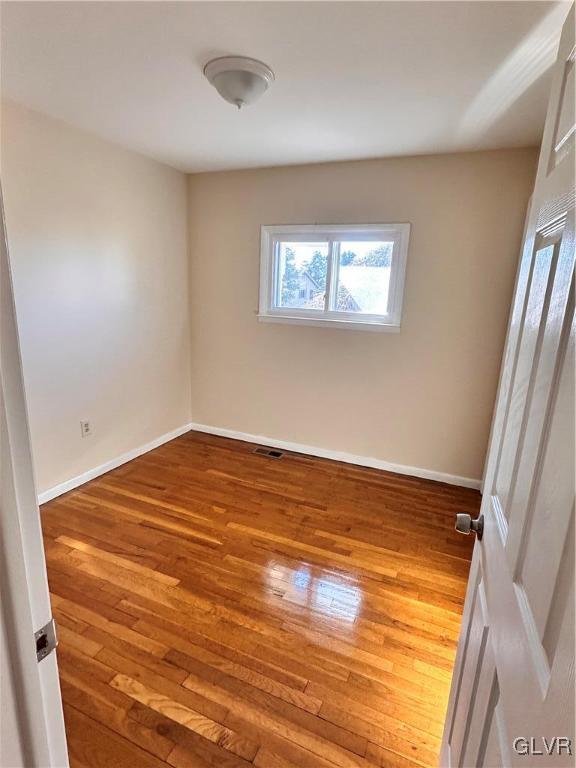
(349, 458)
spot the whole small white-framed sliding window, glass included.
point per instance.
(336, 276)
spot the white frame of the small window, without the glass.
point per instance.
(332, 234)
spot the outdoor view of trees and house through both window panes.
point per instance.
(360, 279)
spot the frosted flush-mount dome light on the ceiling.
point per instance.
(238, 79)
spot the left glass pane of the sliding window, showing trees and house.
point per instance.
(301, 275)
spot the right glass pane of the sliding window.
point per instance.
(364, 277)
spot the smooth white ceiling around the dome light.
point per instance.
(353, 79)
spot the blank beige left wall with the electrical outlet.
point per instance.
(98, 243)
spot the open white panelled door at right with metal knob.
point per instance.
(512, 697)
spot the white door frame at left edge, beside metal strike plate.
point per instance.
(31, 720)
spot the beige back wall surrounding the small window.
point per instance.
(421, 398)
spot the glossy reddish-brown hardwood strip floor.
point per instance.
(219, 608)
